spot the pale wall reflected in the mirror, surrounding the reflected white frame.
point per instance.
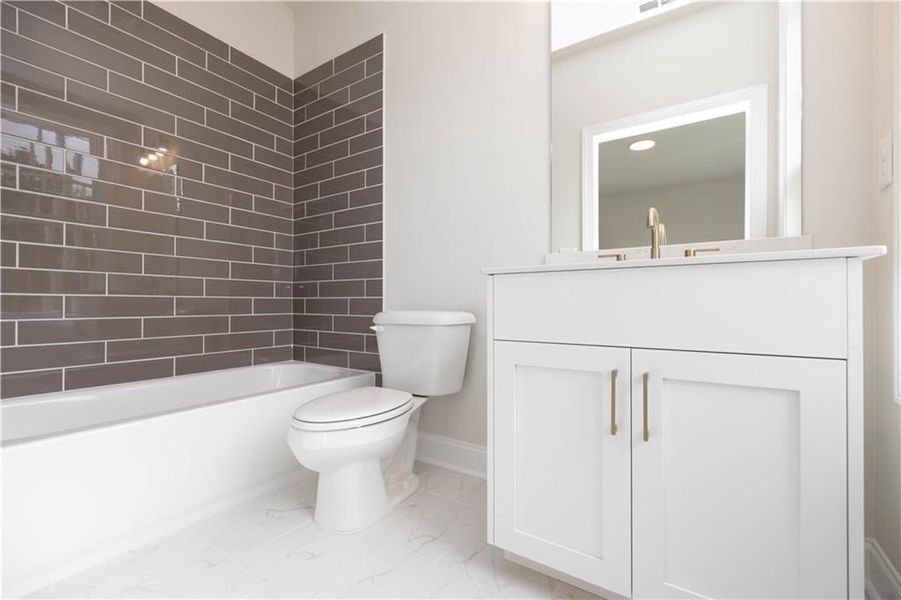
(697, 54)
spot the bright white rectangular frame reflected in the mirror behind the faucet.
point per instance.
(752, 102)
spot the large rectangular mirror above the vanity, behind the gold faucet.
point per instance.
(690, 107)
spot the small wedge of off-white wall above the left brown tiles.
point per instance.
(261, 29)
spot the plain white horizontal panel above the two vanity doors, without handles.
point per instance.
(792, 308)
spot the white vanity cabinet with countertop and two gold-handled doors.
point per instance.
(736, 466)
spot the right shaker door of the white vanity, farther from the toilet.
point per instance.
(739, 478)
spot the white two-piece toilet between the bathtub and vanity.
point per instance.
(362, 442)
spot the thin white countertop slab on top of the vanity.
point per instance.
(861, 252)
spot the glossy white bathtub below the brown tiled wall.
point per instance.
(90, 473)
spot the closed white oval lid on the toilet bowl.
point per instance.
(353, 408)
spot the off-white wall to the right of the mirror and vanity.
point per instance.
(847, 107)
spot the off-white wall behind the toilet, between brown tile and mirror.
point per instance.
(466, 155)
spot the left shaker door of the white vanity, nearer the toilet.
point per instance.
(562, 456)
